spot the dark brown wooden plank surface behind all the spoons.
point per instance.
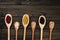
(35, 8)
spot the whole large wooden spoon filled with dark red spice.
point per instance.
(8, 21)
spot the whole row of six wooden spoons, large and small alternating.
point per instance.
(25, 22)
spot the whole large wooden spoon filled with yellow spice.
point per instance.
(25, 22)
